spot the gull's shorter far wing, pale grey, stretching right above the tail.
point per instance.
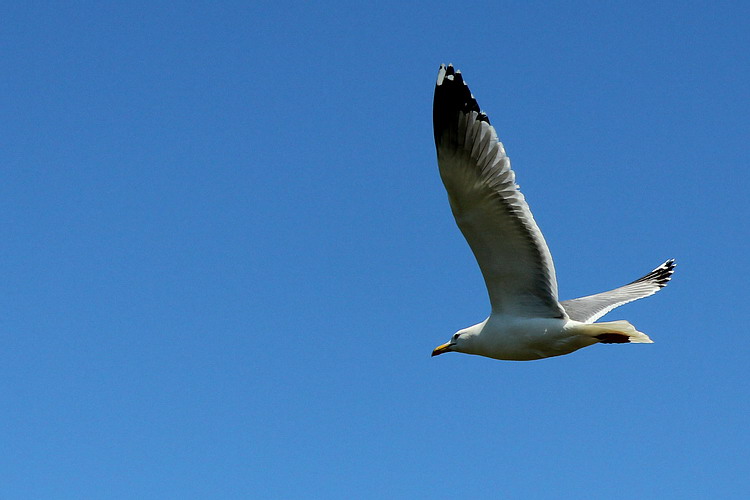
(592, 307)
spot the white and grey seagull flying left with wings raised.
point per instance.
(527, 321)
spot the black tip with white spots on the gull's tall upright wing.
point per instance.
(452, 96)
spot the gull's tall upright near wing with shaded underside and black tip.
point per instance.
(489, 209)
